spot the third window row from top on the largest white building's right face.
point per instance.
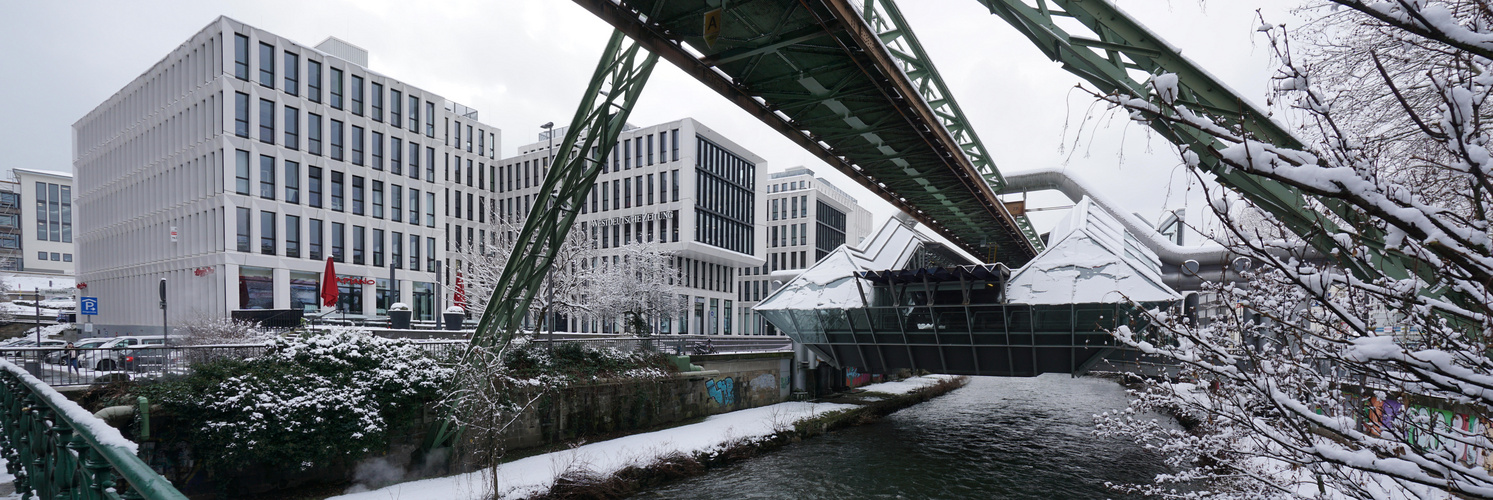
(332, 190)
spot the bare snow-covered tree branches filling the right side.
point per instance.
(1325, 383)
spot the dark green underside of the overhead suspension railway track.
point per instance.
(819, 74)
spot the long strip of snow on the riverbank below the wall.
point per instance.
(535, 475)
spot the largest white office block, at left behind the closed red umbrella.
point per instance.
(243, 160)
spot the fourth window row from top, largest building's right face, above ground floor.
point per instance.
(335, 243)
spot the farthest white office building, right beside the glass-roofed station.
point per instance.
(807, 219)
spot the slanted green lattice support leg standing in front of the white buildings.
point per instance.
(599, 120)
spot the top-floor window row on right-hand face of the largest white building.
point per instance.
(352, 95)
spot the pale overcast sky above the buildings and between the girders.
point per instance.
(523, 63)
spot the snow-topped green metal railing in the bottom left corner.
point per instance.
(54, 454)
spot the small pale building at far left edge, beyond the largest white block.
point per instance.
(47, 199)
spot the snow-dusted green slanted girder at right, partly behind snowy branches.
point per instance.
(1119, 56)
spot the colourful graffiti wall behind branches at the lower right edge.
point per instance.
(1428, 429)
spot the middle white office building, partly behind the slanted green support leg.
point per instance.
(680, 186)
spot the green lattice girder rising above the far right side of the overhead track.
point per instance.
(898, 37)
